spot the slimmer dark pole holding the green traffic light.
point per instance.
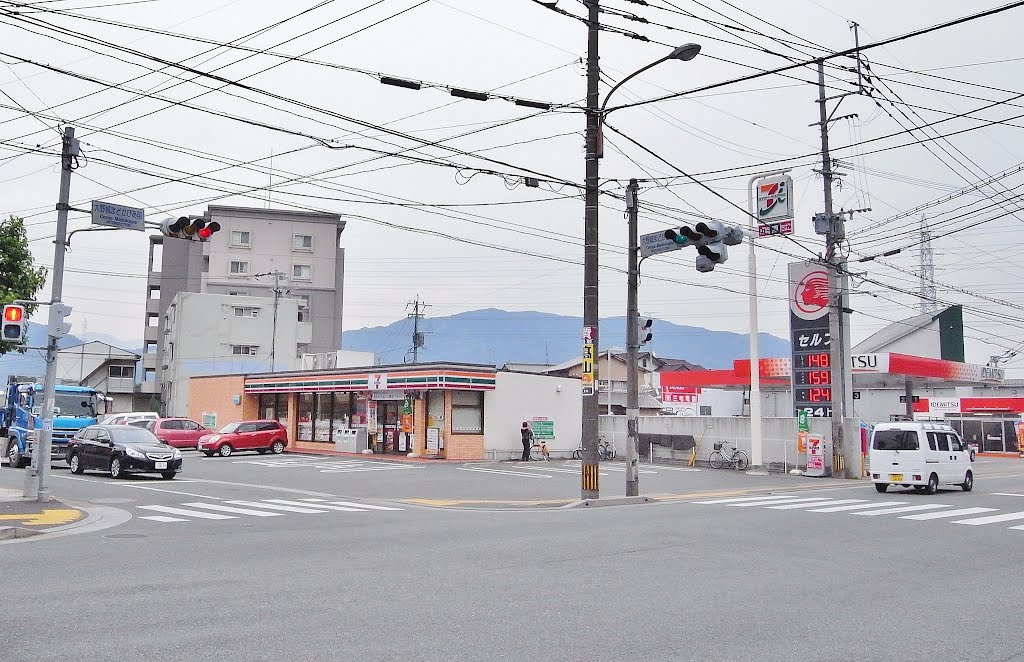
(632, 347)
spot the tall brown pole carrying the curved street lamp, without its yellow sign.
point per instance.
(589, 474)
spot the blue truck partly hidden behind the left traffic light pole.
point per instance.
(22, 421)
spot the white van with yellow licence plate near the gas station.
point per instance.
(919, 454)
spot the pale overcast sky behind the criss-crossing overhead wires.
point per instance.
(297, 132)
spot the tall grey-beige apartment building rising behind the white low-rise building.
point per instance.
(253, 245)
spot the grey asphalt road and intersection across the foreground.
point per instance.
(297, 559)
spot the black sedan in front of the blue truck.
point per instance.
(120, 450)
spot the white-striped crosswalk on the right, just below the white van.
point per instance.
(972, 516)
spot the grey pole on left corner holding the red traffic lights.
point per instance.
(40, 468)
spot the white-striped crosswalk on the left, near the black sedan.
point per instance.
(239, 509)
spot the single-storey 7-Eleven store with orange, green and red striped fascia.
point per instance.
(444, 410)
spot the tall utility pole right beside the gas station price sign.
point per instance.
(837, 233)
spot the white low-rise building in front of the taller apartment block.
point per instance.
(202, 330)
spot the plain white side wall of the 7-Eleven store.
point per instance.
(520, 398)
